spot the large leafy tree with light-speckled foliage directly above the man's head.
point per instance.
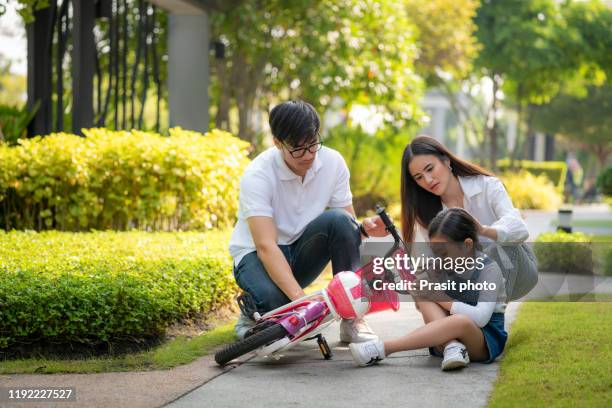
(360, 51)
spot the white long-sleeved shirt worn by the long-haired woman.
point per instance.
(487, 200)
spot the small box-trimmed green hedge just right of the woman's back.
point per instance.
(564, 252)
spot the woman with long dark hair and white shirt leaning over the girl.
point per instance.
(433, 179)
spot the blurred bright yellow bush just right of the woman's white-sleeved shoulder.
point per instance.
(531, 192)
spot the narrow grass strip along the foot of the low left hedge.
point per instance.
(180, 350)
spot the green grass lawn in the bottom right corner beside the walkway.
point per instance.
(559, 354)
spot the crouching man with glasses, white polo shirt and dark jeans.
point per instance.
(295, 215)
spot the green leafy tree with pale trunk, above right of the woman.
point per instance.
(521, 53)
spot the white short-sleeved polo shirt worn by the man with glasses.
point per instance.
(269, 188)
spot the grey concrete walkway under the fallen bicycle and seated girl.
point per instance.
(302, 378)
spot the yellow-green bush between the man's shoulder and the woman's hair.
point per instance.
(374, 162)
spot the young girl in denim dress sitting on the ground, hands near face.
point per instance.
(463, 324)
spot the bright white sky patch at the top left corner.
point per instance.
(13, 44)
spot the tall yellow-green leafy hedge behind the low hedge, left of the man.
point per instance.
(121, 180)
